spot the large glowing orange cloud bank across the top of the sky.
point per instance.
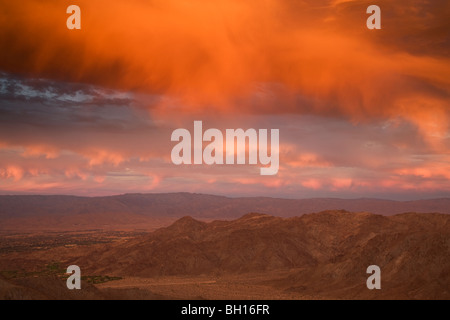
(217, 54)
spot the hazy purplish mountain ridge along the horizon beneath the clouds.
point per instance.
(177, 205)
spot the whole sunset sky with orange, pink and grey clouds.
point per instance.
(361, 113)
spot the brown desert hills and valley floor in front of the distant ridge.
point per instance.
(313, 256)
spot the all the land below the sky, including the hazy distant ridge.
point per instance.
(165, 253)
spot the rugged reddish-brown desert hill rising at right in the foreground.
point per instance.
(326, 253)
